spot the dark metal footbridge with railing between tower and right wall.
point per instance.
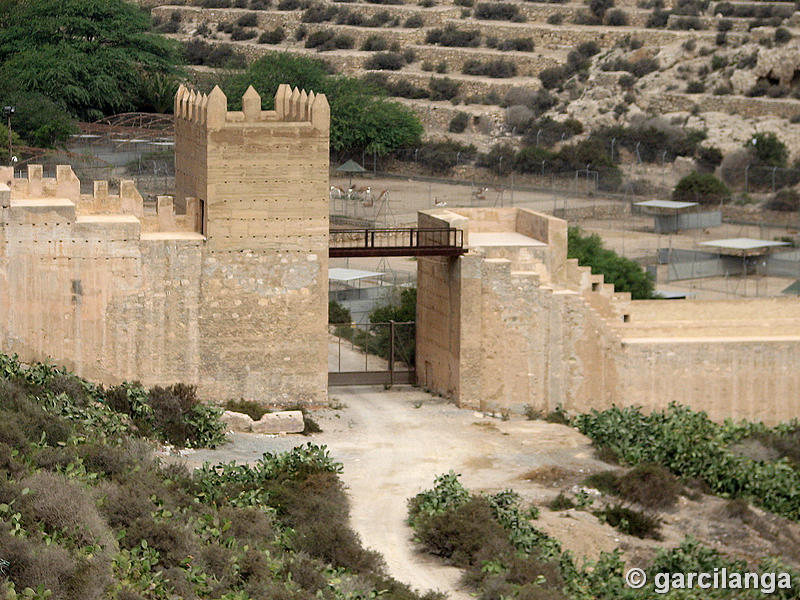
(397, 241)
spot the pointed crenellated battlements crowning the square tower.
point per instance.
(291, 105)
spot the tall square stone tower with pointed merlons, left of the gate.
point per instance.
(261, 178)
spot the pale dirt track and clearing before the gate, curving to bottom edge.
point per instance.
(394, 443)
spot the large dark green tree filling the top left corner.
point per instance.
(89, 56)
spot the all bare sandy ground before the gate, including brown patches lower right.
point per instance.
(394, 443)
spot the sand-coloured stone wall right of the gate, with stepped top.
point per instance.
(509, 325)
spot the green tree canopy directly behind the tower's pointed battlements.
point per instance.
(360, 118)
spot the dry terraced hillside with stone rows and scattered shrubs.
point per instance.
(729, 68)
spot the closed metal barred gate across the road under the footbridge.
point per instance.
(371, 353)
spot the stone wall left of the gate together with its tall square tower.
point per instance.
(228, 292)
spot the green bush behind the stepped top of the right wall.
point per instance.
(625, 274)
